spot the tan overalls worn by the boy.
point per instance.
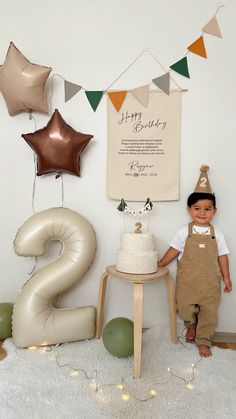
(198, 287)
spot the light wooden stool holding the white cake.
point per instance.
(138, 281)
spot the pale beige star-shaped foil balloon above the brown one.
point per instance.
(22, 83)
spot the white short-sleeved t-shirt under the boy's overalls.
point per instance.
(179, 239)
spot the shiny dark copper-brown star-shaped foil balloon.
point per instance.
(58, 146)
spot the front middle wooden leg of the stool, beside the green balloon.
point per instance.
(138, 309)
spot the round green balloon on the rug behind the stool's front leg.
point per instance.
(118, 337)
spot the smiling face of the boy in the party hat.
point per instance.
(202, 212)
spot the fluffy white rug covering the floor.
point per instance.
(34, 386)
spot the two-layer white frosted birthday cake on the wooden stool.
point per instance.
(137, 254)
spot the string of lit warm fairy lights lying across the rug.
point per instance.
(122, 386)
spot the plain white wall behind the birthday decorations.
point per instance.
(90, 43)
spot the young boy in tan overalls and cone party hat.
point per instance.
(202, 262)
